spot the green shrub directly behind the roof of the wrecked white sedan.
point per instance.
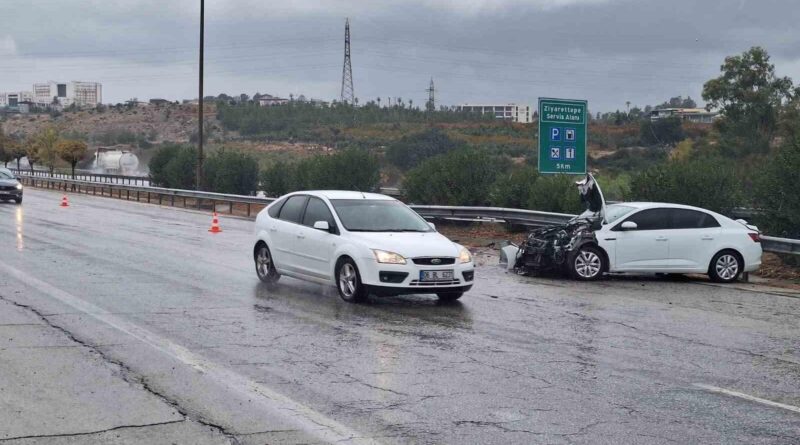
(711, 183)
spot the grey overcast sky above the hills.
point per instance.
(605, 51)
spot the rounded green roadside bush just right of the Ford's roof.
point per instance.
(460, 177)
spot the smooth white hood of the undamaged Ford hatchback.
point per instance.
(409, 244)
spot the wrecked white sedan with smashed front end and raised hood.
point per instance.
(639, 237)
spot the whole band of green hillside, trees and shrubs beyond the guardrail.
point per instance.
(748, 157)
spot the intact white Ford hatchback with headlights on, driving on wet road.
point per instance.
(362, 243)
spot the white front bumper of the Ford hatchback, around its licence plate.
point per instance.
(406, 278)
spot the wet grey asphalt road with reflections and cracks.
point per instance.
(179, 314)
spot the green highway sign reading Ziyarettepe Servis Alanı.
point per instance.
(562, 136)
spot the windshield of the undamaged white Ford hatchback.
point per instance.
(378, 215)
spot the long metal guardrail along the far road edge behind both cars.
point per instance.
(248, 205)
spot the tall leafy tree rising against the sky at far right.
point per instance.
(750, 96)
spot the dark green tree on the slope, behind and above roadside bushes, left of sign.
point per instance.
(410, 151)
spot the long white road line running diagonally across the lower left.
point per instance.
(307, 419)
